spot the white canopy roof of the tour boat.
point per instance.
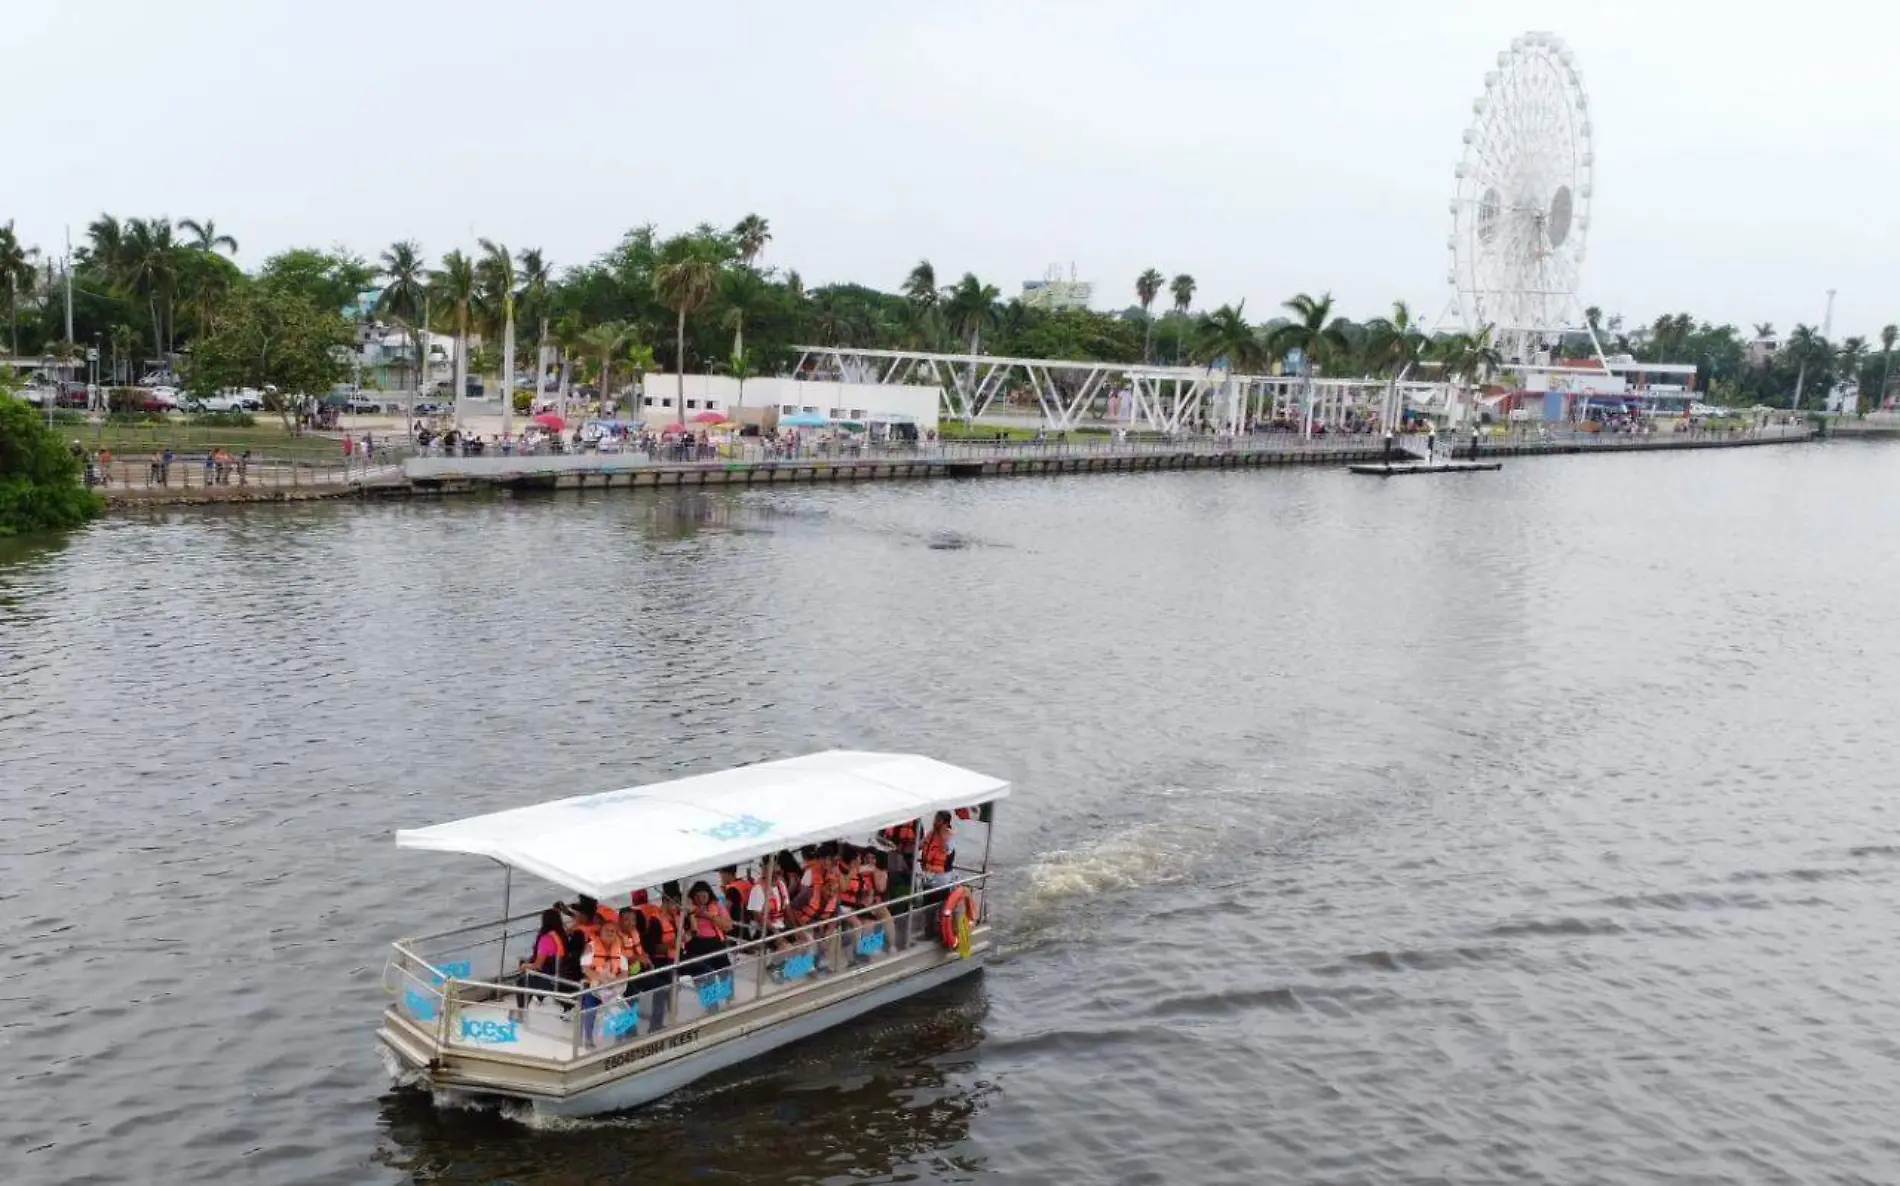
(607, 845)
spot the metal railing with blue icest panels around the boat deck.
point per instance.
(442, 984)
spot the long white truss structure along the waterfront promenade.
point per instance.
(1171, 400)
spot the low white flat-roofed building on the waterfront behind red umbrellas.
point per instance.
(765, 400)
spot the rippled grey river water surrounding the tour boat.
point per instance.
(1527, 828)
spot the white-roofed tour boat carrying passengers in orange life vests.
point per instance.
(470, 1027)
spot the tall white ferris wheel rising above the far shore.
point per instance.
(1521, 212)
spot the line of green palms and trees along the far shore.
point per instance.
(153, 292)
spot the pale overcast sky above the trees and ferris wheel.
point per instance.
(1745, 151)
